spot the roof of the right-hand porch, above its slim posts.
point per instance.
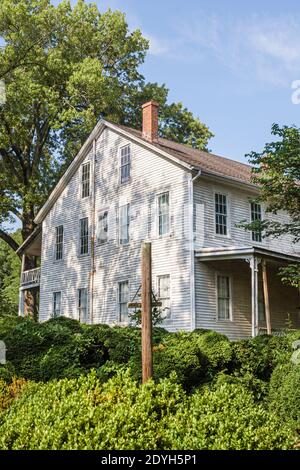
(243, 252)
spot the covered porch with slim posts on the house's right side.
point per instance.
(260, 302)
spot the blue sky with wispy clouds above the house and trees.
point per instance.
(231, 63)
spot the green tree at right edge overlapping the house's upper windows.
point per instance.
(277, 172)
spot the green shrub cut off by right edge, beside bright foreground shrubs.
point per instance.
(285, 393)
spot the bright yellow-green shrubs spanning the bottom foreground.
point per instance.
(120, 414)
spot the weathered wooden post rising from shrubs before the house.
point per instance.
(146, 311)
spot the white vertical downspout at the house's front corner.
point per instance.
(192, 259)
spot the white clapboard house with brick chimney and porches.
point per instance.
(126, 186)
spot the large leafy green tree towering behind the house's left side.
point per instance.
(64, 68)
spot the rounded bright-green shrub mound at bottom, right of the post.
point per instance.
(226, 419)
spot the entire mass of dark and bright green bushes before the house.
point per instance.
(84, 389)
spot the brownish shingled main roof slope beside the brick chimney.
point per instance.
(199, 159)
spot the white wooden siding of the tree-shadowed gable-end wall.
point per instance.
(150, 175)
